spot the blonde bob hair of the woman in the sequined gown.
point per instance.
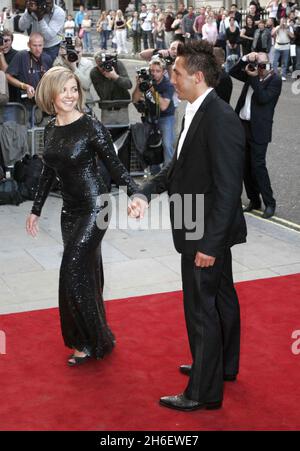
(52, 84)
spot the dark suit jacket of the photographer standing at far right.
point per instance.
(263, 102)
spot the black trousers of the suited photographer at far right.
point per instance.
(256, 177)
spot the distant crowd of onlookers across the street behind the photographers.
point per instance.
(274, 29)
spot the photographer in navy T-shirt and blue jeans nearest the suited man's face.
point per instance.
(156, 94)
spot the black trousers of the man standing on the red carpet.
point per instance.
(212, 317)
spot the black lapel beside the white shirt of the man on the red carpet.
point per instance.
(195, 124)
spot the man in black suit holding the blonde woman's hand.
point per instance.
(208, 162)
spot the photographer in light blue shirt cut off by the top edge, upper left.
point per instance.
(46, 18)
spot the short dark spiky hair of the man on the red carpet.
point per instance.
(199, 56)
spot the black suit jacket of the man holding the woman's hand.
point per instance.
(210, 163)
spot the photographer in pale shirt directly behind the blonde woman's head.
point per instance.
(70, 56)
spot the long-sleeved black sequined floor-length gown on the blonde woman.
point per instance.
(71, 154)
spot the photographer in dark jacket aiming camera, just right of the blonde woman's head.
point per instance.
(111, 82)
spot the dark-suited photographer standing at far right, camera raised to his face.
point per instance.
(255, 108)
